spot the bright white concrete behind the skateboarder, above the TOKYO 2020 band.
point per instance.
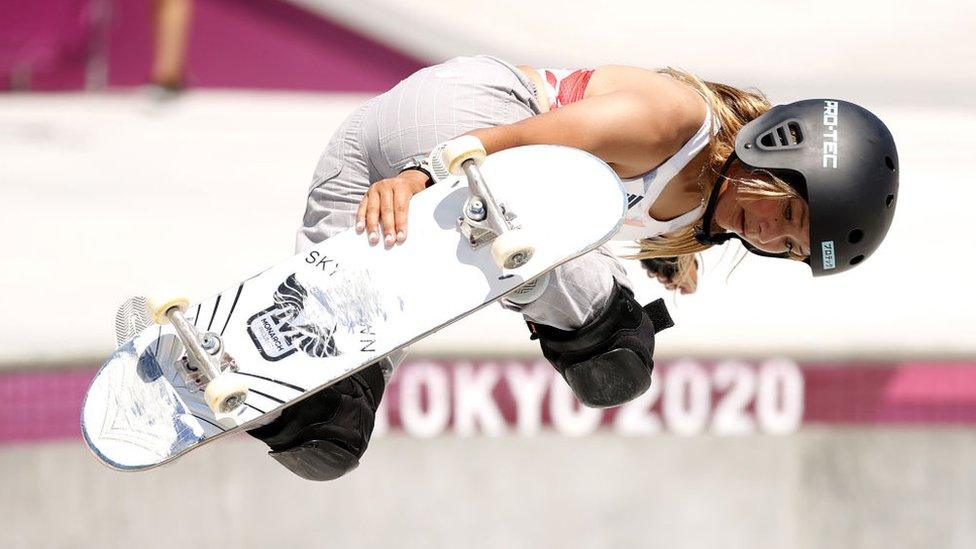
(110, 195)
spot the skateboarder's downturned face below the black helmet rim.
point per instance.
(774, 225)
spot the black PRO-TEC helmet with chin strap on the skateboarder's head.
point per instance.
(841, 159)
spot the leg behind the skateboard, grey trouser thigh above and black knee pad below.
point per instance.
(324, 436)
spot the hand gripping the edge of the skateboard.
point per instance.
(384, 207)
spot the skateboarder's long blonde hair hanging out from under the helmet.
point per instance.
(731, 109)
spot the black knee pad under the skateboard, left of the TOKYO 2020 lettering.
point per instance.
(324, 436)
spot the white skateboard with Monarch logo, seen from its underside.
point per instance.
(186, 374)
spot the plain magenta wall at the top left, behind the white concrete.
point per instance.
(258, 44)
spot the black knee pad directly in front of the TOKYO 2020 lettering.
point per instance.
(609, 361)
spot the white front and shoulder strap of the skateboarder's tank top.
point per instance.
(642, 191)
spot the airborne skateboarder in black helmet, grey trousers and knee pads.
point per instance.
(670, 136)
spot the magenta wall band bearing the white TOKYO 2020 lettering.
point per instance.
(431, 398)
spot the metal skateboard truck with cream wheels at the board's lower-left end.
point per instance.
(206, 362)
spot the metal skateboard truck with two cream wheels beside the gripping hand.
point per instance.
(483, 219)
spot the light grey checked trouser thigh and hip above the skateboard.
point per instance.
(431, 106)
